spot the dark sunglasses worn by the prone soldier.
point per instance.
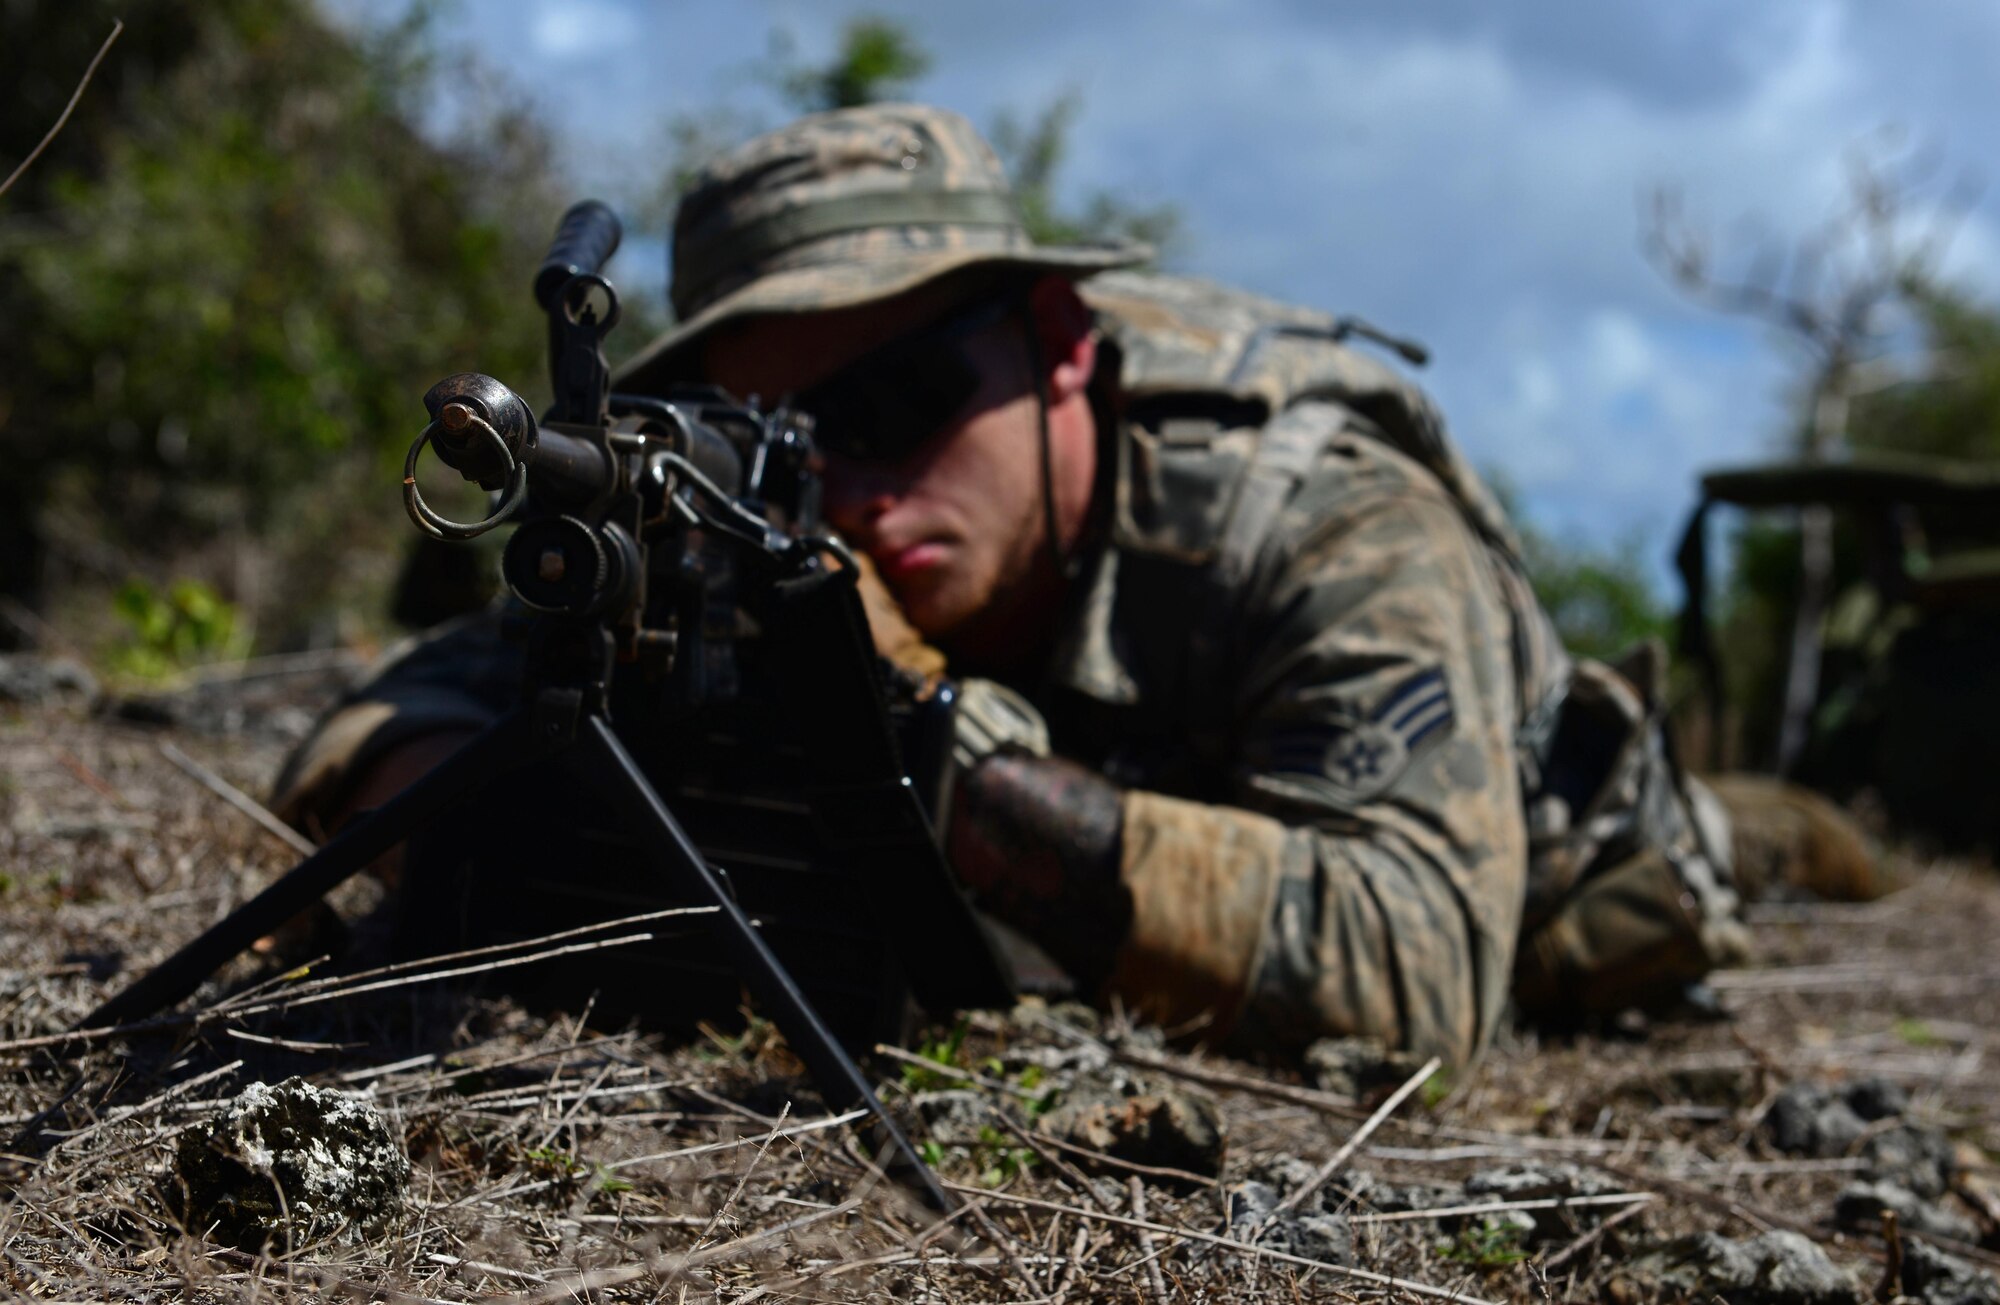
(895, 397)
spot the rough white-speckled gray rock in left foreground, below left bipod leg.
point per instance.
(289, 1162)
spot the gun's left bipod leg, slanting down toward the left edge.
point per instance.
(507, 744)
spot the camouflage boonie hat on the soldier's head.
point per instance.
(839, 211)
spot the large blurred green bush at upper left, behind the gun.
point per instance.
(229, 285)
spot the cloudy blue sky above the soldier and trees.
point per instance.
(1463, 171)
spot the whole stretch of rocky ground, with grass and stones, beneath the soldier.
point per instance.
(309, 1132)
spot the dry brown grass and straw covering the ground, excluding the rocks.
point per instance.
(563, 1162)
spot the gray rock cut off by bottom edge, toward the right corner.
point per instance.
(1767, 1270)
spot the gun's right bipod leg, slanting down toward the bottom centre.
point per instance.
(833, 1070)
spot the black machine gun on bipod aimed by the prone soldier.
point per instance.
(685, 651)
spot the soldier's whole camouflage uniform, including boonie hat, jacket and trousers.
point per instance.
(1305, 647)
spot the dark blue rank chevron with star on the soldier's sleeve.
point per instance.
(1359, 760)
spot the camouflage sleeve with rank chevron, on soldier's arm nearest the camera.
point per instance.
(1367, 878)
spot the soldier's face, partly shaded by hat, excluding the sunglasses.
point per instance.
(953, 523)
